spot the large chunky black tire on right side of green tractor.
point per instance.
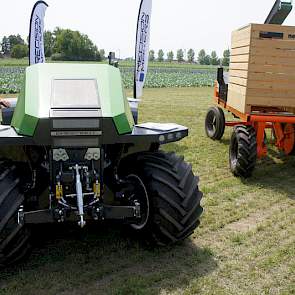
(173, 194)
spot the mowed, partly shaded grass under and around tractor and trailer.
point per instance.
(245, 244)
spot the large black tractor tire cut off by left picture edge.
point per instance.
(14, 237)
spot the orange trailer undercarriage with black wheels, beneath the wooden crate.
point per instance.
(248, 141)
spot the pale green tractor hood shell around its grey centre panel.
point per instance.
(34, 102)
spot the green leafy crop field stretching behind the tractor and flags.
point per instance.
(160, 75)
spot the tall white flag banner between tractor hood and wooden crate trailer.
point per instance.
(142, 46)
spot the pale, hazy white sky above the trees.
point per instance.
(175, 24)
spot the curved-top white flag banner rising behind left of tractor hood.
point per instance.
(36, 39)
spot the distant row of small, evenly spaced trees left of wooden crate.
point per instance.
(203, 58)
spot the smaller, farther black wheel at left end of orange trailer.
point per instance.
(215, 123)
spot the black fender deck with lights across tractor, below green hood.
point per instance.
(45, 135)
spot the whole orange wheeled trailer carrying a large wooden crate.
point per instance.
(258, 90)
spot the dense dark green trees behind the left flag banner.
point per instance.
(61, 44)
